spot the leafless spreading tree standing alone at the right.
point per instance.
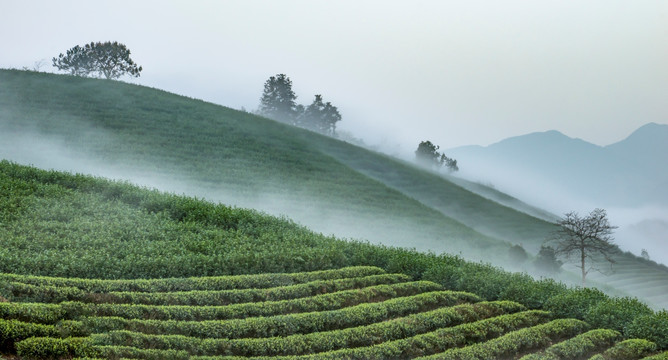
(587, 239)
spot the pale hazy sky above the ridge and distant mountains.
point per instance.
(455, 72)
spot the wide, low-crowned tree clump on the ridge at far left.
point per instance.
(109, 59)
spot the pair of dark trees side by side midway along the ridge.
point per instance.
(278, 102)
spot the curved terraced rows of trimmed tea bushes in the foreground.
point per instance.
(354, 313)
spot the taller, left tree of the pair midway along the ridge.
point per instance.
(278, 100)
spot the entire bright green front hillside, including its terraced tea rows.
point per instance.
(100, 269)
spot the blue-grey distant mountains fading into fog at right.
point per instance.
(631, 172)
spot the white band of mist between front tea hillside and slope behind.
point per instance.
(54, 153)
